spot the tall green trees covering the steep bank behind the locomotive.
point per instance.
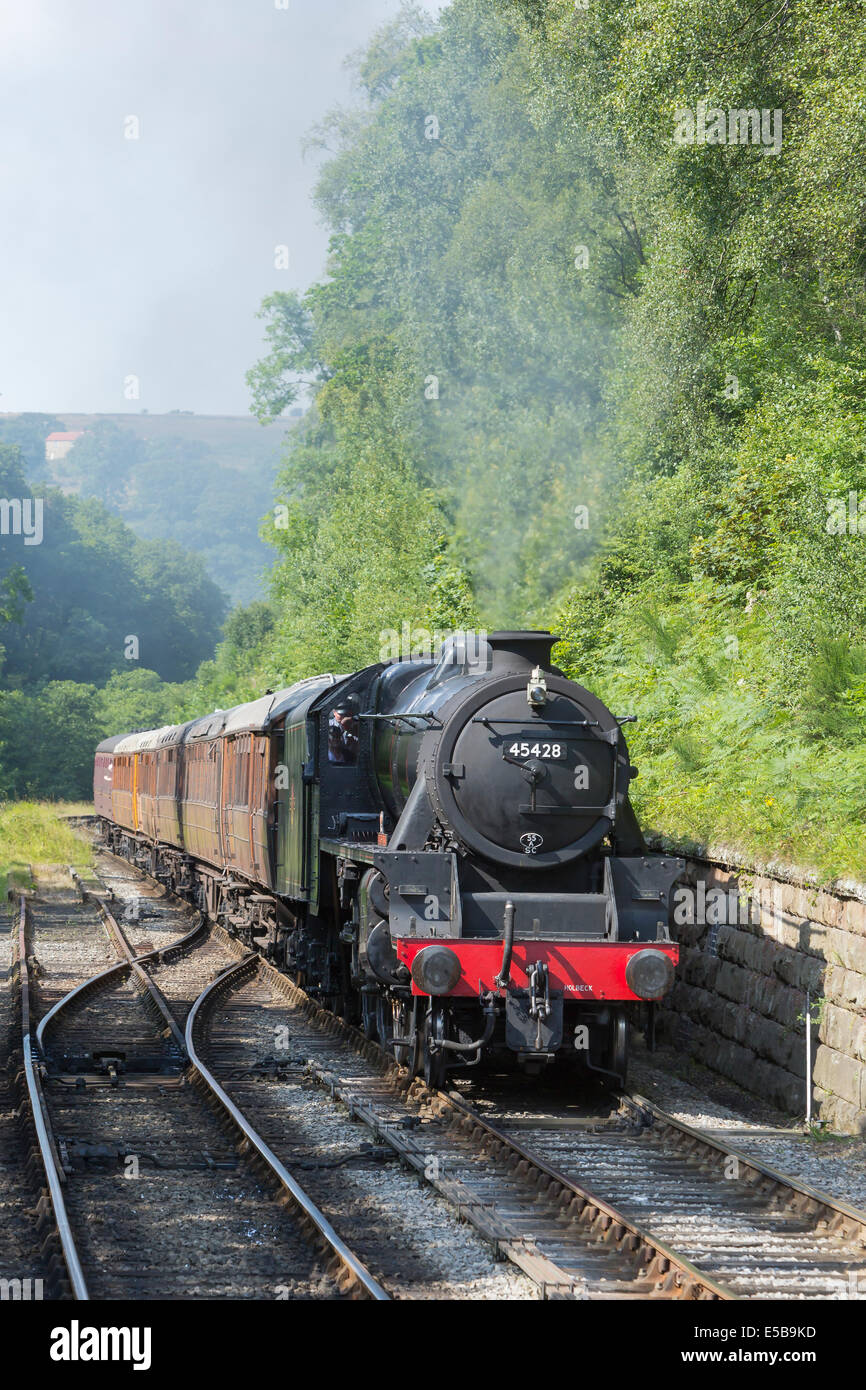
(697, 387)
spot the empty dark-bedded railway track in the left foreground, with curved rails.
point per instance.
(158, 1191)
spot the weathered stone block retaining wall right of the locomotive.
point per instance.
(739, 1004)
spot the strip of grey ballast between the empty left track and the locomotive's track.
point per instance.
(404, 1232)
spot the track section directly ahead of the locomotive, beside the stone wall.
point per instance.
(755, 1231)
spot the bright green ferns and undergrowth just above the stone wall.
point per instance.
(733, 753)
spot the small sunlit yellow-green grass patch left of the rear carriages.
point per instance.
(34, 833)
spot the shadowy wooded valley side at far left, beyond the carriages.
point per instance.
(69, 608)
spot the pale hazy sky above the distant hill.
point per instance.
(148, 258)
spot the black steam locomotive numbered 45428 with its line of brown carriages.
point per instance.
(443, 850)
